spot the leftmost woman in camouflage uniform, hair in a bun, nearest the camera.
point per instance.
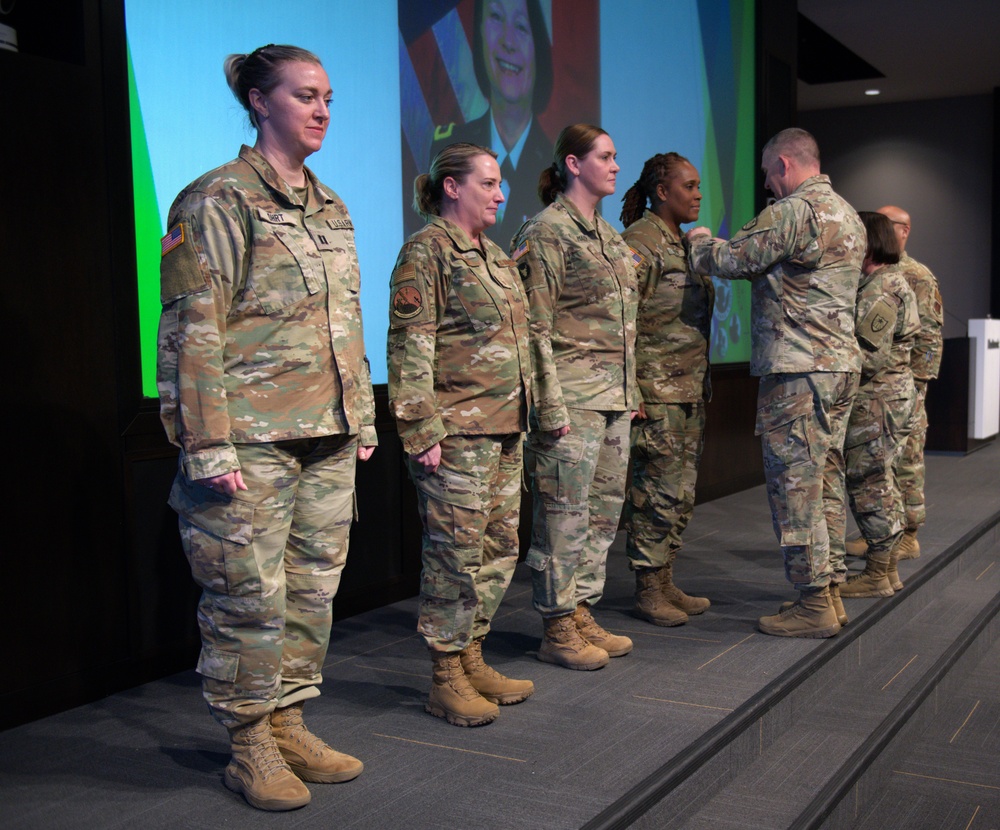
(264, 386)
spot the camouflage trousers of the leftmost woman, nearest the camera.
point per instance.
(269, 561)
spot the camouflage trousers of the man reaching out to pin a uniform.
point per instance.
(802, 421)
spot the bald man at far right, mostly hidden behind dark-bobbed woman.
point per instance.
(925, 363)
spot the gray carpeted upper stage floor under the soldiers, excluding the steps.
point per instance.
(153, 758)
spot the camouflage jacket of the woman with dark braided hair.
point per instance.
(675, 317)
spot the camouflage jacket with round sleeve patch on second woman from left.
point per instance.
(458, 353)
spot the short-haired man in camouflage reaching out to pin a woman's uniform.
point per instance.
(803, 256)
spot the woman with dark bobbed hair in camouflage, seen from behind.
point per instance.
(887, 324)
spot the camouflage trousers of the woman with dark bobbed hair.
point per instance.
(876, 433)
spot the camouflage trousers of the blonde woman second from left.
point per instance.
(470, 507)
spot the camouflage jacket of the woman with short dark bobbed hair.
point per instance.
(886, 298)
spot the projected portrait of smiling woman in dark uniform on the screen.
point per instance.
(513, 63)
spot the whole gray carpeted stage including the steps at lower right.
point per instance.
(707, 725)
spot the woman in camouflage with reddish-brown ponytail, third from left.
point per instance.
(581, 287)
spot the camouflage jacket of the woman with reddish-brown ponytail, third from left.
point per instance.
(581, 286)
